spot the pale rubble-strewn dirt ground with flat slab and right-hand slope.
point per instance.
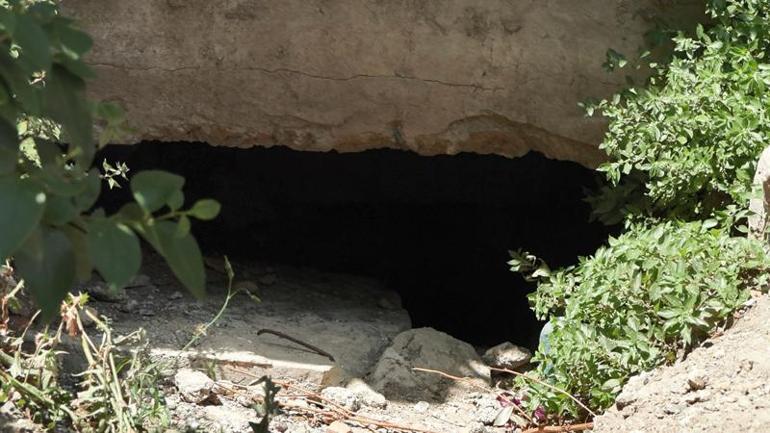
(722, 386)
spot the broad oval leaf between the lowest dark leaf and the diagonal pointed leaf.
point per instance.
(114, 251)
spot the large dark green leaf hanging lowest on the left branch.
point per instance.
(47, 265)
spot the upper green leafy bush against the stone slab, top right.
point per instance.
(685, 145)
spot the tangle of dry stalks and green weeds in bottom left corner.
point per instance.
(116, 393)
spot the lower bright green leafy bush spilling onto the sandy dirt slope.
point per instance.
(635, 304)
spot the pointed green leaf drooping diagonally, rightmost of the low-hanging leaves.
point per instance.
(182, 254)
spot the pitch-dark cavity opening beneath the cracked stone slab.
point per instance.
(437, 230)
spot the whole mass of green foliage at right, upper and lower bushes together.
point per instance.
(682, 150)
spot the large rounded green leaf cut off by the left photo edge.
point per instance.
(21, 207)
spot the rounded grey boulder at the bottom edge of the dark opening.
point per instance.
(426, 348)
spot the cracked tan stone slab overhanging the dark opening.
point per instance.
(432, 76)
